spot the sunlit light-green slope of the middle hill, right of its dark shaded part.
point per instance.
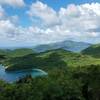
(72, 59)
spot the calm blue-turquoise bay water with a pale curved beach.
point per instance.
(16, 75)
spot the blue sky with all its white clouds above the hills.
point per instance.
(35, 22)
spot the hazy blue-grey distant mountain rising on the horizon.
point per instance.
(66, 45)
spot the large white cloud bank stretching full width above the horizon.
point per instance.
(75, 22)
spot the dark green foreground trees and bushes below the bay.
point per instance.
(60, 84)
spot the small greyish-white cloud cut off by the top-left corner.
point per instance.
(14, 3)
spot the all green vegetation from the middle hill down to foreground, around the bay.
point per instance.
(71, 76)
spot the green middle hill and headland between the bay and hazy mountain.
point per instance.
(49, 59)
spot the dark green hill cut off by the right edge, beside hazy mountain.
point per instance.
(93, 51)
